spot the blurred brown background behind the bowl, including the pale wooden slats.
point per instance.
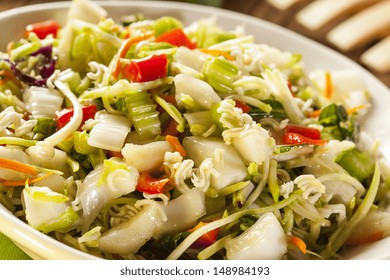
(359, 29)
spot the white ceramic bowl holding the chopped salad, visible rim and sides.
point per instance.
(40, 246)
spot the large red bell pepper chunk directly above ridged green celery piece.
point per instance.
(147, 69)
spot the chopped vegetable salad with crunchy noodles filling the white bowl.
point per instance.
(151, 139)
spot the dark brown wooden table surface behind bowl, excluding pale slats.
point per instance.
(257, 8)
